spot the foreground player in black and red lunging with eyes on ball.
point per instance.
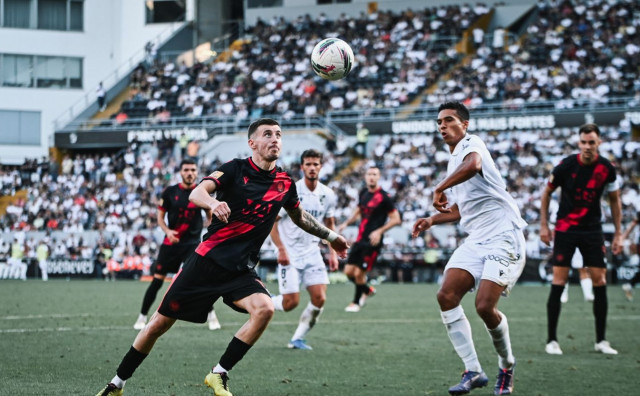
(249, 194)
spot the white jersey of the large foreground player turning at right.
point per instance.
(486, 208)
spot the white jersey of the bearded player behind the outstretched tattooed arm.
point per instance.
(321, 204)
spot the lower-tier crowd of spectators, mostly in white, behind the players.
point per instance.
(116, 194)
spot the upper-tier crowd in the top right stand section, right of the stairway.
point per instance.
(575, 53)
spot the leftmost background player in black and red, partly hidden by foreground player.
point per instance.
(183, 228)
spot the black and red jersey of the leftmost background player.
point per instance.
(182, 215)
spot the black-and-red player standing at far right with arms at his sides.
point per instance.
(583, 179)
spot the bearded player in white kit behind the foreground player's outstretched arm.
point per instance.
(299, 256)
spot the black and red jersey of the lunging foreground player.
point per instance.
(255, 197)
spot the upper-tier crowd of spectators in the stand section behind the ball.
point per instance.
(397, 57)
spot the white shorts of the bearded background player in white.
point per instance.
(308, 270)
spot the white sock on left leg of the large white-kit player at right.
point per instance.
(459, 332)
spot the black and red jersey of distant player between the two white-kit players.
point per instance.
(375, 207)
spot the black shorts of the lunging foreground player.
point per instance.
(200, 283)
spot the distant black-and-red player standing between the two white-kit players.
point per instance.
(375, 206)
